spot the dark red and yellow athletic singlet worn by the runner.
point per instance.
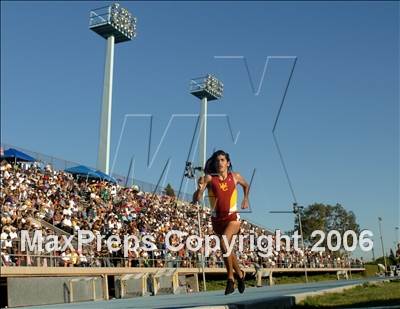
(222, 195)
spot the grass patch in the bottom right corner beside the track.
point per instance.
(384, 293)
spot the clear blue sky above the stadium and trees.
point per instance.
(338, 131)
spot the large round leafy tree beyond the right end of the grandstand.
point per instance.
(327, 218)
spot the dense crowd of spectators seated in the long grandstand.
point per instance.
(35, 197)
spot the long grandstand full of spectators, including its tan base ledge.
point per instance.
(35, 196)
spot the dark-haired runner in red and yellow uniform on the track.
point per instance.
(221, 183)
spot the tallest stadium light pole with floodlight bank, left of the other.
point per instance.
(116, 25)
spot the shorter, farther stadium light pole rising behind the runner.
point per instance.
(206, 88)
